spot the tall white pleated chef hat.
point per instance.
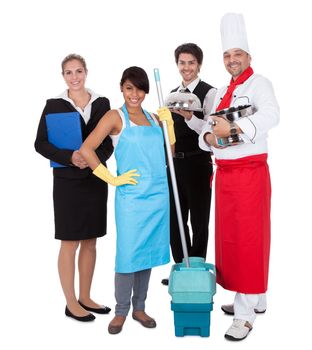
(233, 32)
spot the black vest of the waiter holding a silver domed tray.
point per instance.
(186, 138)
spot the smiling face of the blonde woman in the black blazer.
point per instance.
(75, 75)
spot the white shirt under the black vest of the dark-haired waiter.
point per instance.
(195, 123)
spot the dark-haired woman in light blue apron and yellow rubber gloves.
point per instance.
(142, 198)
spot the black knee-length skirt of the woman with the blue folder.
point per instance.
(80, 208)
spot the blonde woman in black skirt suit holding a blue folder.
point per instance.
(80, 198)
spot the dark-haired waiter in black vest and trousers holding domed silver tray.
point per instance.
(193, 167)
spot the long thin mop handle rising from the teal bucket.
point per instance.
(172, 172)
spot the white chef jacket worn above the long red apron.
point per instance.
(258, 92)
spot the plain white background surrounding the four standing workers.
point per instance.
(113, 35)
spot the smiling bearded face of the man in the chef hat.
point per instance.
(236, 61)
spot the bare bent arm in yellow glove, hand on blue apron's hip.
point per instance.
(109, 124)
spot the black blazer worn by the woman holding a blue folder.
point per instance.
(63, 156)
